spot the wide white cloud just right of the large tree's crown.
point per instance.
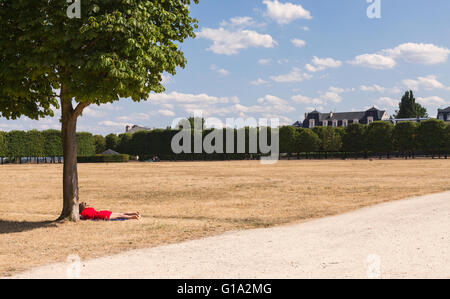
(230, 43)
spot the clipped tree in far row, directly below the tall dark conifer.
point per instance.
(404, 137)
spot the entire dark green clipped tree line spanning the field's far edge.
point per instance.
(407, 139)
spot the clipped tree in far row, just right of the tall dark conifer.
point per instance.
(430, 135)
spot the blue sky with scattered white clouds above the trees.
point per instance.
(282, 58)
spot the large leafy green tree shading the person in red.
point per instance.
(116, 49)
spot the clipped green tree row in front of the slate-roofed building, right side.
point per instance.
(406, 139)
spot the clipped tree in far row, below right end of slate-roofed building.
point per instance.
(379, 137)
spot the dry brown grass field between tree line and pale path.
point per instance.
(181, 201)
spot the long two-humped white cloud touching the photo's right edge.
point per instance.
(427, 54)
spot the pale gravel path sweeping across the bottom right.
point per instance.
(402, 239)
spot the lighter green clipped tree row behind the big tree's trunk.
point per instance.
(43, 146)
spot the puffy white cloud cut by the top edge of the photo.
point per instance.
(285, 13)
